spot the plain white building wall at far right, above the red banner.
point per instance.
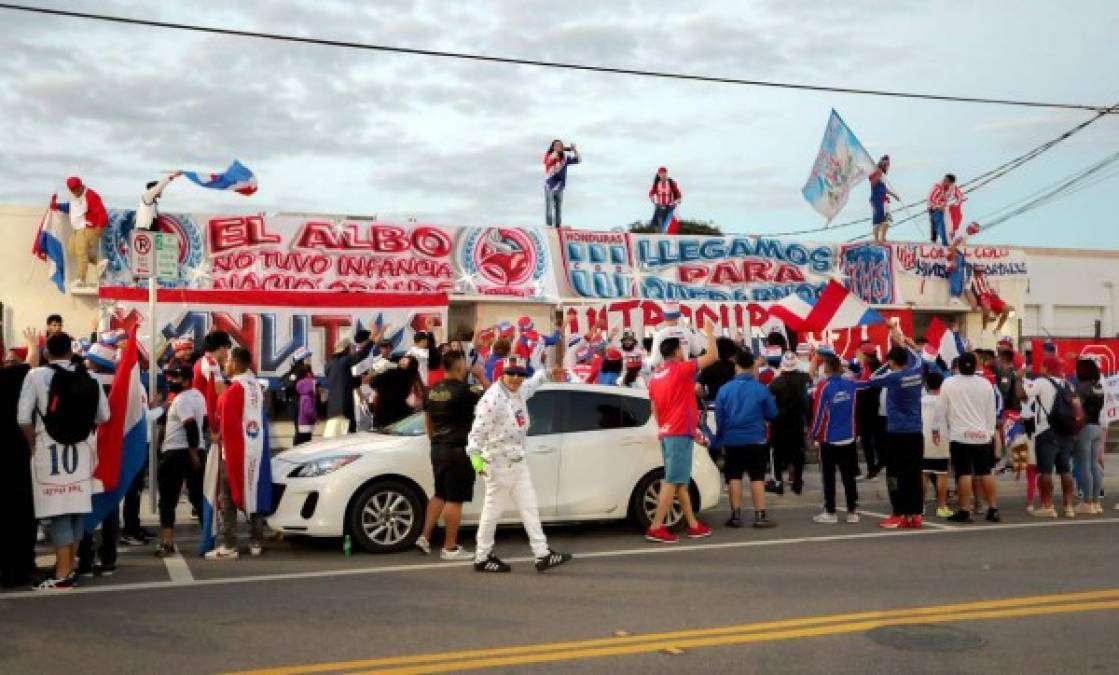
(1069, 290)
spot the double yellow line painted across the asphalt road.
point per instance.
(775, 630)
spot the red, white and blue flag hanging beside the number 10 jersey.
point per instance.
(123, 442)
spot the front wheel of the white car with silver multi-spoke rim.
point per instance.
(387, 517)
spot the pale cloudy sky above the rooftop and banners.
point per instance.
(447, 142)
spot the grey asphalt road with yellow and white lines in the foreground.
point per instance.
(801, 598)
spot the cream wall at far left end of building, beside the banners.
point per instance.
(25, 290)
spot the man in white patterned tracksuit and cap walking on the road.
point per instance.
(496, 447)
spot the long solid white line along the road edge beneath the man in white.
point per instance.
(651, 550)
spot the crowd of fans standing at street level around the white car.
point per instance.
(915, 416)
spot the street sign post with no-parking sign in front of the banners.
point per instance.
(155, 256)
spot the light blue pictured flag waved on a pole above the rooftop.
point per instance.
(841, 165)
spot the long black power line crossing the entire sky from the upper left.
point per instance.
(543, 64)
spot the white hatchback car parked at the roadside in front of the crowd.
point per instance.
(593, 452)
